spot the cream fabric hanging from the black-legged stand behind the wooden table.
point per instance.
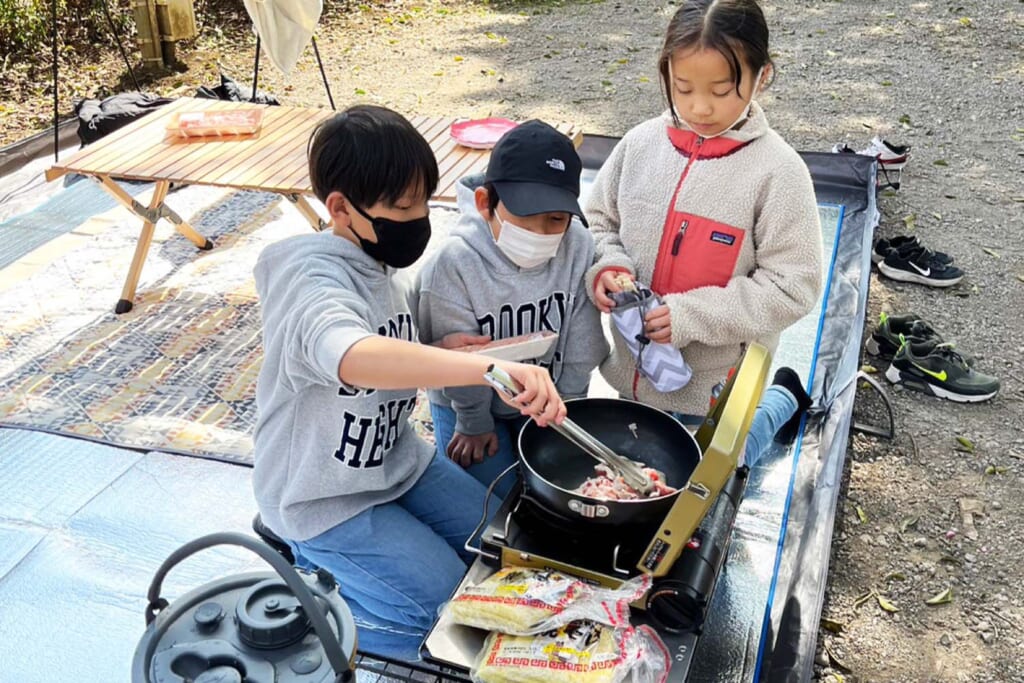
(285, 28)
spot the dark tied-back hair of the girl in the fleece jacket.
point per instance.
(736, 28)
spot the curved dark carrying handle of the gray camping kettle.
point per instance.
(332, 649)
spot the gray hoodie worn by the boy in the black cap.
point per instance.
(471, 286)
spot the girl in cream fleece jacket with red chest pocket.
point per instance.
(710, 206)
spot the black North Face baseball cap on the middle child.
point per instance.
(536, 169)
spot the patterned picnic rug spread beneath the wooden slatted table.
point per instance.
(176, 374)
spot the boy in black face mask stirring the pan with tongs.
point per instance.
(339, 475)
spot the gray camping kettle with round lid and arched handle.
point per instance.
(251, 628)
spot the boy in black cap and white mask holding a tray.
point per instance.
(514, 266)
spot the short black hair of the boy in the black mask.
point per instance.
(370, 154)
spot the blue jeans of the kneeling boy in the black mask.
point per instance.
(397, 564)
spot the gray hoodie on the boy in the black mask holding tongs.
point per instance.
(326, 452)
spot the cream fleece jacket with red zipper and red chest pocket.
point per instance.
(740, 263)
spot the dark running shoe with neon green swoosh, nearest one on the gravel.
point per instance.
(934, 368)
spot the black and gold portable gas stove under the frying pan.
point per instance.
(685, 556)
